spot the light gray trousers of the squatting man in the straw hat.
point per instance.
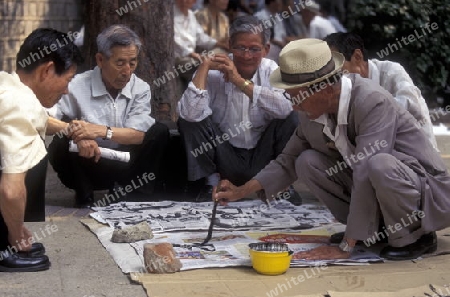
(396, 186)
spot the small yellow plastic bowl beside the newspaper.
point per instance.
(270, 262)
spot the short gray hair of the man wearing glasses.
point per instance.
(249, 24)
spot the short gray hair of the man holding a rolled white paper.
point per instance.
(117, 35)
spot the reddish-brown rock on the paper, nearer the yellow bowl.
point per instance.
(160, 258)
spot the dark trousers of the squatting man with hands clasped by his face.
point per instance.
(235, 164)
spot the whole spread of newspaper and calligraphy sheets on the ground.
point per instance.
(184, 225)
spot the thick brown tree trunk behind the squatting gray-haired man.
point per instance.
(152, 20)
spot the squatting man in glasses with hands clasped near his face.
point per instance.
(231, 120)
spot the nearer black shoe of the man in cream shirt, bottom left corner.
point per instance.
(19, 263)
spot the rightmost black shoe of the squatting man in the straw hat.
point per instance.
(425, 244)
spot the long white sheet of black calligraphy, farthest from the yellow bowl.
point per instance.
(167, 216)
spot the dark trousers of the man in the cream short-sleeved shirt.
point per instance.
(35, 207)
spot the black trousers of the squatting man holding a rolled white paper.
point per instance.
(84, 175)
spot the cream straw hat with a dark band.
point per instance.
(305, 62)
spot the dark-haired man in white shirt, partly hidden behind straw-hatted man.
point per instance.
(390, 75)
